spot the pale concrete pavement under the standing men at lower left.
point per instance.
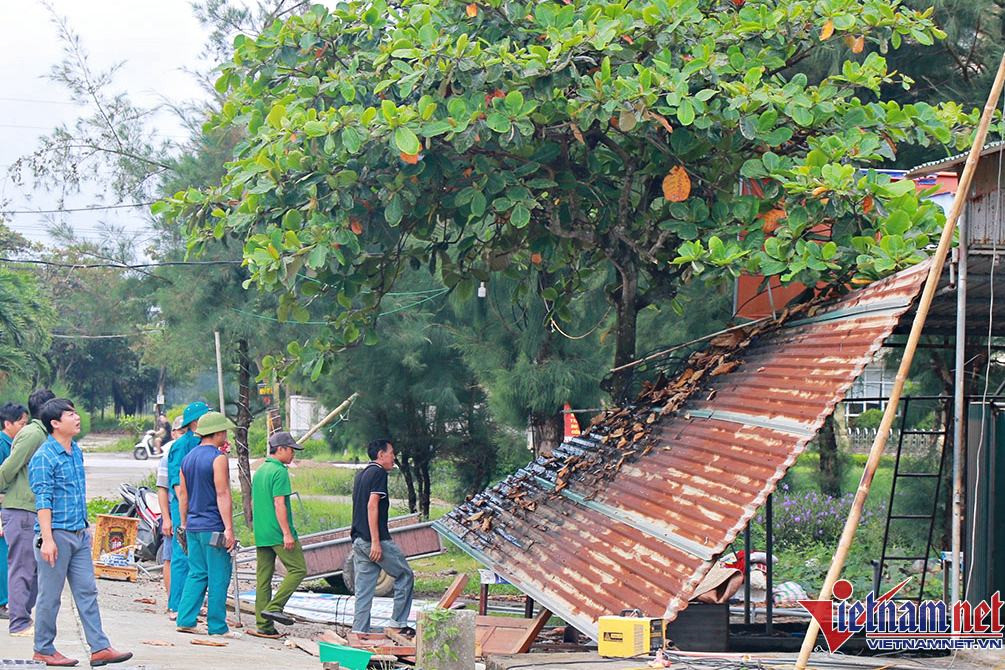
(144, 629)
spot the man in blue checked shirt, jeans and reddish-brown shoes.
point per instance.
(64, 546)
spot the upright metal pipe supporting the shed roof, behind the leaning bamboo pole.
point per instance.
(959, 405)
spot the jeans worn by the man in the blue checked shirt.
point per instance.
(74, 565)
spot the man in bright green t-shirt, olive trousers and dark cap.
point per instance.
(275, 536)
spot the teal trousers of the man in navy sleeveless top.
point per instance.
(210, 571)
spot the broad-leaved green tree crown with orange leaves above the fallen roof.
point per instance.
(576, 137)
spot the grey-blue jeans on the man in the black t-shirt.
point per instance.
(393, 563)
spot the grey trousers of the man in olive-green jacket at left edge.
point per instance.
(23, 573)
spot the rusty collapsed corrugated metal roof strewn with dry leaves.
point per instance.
(634, 516)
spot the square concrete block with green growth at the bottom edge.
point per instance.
(446, 640)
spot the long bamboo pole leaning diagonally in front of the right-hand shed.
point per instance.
(931, 284)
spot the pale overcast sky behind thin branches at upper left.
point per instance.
(157, 40)
